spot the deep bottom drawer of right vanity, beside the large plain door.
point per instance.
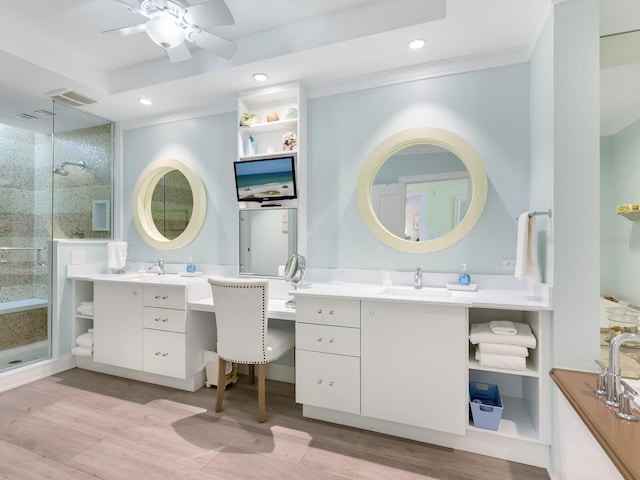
(328, 381)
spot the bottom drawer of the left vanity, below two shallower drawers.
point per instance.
(164, 353)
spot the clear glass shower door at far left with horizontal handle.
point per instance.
(26, 161)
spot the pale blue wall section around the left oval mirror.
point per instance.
(208, 145)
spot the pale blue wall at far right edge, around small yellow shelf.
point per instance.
(620, 238)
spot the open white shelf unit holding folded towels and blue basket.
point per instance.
(524, 392)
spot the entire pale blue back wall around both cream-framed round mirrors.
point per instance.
(489, 108)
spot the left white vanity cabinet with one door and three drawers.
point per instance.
(144, 331)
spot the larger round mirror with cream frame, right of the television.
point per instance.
(422, 190)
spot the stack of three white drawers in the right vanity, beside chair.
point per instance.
(328, 353)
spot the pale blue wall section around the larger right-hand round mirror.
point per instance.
(488, 108)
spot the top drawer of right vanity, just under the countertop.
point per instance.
(328, 311)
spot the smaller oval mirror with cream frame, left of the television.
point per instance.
(145, 207)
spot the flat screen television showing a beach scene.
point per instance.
(266, 179)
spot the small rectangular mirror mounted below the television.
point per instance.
(268, 237)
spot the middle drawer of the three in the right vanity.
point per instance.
(328, 339)
